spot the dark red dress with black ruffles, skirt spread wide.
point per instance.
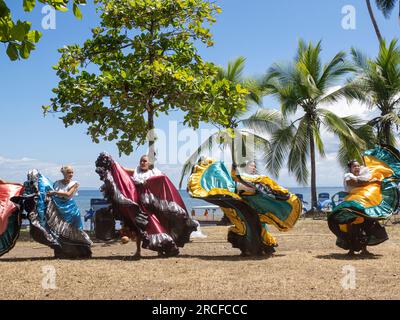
(148, 204)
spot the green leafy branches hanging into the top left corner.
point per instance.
(18, 36)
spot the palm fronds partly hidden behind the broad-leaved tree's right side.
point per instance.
(230, 136)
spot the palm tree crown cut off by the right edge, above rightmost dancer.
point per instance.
(377, 84)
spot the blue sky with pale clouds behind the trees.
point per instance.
(264, 31)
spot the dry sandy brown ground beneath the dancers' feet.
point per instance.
(307, 265)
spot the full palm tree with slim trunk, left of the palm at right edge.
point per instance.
(302, 86)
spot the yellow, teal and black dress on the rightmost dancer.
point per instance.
(356, 220)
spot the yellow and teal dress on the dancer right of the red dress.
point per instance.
(251, 207)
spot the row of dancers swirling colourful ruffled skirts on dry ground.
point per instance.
(154, 215)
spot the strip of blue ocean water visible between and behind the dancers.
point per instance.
(83, 200)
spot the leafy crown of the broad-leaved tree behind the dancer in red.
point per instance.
(141, 62)
